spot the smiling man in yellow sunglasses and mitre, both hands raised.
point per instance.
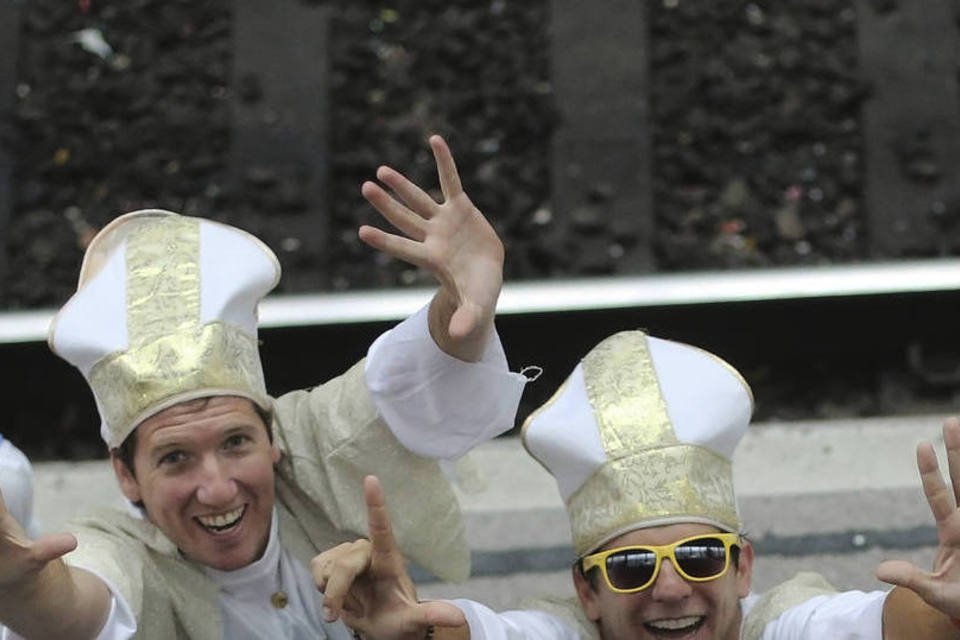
(640, 439)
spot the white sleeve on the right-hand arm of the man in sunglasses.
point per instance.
(851, 615)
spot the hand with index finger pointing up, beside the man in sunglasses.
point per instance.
(365, 583)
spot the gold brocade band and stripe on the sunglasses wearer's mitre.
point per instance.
(650, 477)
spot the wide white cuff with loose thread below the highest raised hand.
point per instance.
(436, 405)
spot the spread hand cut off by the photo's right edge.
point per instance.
(940, 588)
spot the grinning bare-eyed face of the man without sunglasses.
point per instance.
(205, 469)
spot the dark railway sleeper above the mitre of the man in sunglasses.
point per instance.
(601, 165)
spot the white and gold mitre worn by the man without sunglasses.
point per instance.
(165, 312)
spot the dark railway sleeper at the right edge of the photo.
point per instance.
(909, 53)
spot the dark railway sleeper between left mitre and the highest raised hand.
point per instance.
(280, 123)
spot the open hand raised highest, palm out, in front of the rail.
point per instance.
(453, 241)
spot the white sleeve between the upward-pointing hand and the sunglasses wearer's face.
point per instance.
(486, 624)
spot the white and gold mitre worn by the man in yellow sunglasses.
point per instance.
(641, 434)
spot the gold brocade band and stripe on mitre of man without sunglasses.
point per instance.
(170, 357)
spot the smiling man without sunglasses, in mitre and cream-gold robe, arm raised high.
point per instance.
(235, 490)
